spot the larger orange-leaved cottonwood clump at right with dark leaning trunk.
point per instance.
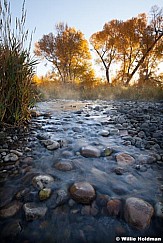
(135, 45)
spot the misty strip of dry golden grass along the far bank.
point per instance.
(51, 90)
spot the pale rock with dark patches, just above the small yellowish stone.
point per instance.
(42, 181)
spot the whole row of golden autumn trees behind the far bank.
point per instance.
(132, 47)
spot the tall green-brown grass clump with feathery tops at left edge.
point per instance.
(16, 68)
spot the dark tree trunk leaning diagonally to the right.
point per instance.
(143, 58)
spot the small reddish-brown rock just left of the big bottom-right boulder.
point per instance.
(114, 207)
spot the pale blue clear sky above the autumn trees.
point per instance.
(88, 16)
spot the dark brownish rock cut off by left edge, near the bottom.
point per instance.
(10, 209)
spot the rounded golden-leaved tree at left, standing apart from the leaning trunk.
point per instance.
(68, 51)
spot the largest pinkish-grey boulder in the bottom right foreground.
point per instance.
(138, 212)
